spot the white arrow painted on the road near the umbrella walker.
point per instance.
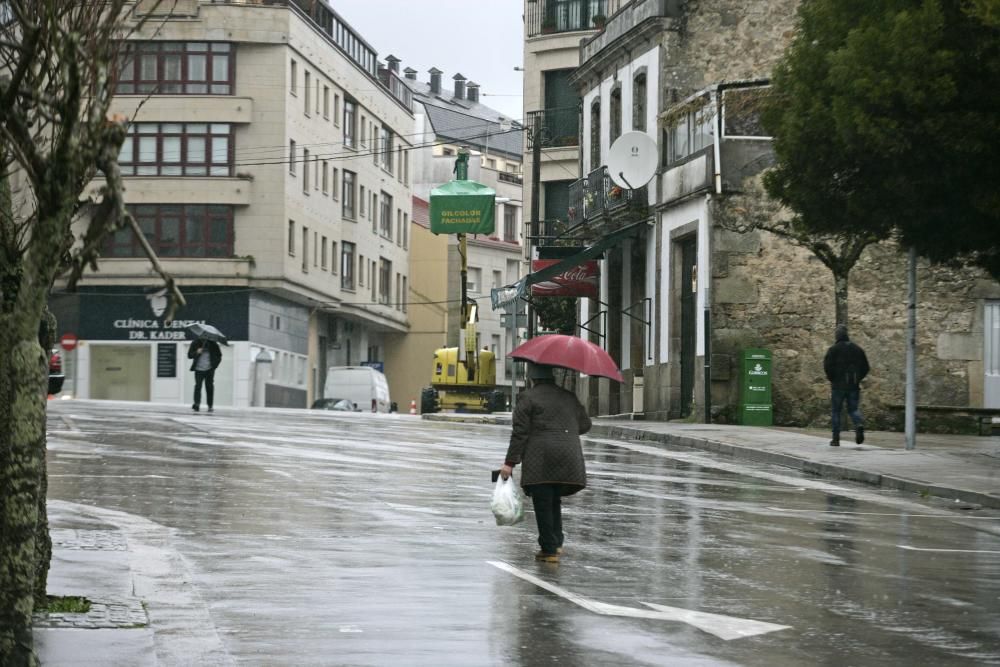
(724, 627)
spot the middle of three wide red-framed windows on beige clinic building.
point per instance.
(177, 149)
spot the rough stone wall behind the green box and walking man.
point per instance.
(772, 294)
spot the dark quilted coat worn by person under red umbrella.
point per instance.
(545, 439)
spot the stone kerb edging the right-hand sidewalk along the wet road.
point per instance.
(825, 470)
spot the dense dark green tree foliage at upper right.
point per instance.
(885, 125)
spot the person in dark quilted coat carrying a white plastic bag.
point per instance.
(545, 439)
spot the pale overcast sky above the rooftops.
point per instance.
(482, 40)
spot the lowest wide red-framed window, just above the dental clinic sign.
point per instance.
(176, 230)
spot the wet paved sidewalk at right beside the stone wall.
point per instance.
(956, 467)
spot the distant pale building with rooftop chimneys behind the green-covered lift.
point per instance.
(446, 120)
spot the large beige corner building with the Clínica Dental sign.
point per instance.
(267, 163)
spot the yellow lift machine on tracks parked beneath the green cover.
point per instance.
(463, 379)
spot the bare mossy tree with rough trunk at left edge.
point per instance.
(57, 61)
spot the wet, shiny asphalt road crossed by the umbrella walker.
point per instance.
(330, 539)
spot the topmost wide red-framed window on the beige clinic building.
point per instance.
(176, 68)
